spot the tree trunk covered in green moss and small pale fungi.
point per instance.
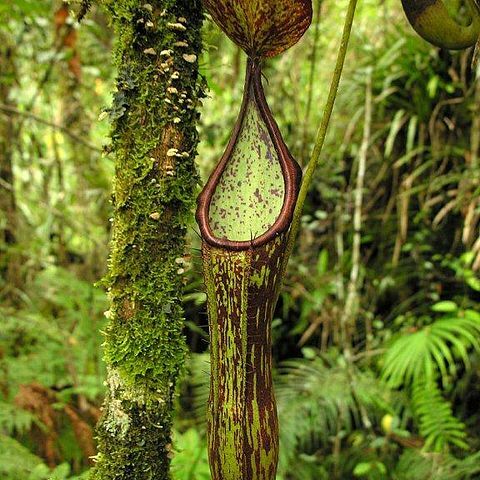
(154, 141)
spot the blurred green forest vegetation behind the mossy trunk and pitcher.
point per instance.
(377, 332)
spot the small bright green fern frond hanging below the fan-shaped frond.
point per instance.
(438, 425)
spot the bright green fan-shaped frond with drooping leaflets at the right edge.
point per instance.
(433, 350)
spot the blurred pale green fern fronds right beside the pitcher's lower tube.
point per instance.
(317, 399)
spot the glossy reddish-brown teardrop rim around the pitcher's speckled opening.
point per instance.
(290, 170)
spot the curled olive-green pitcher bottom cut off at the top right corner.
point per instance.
(433, 22)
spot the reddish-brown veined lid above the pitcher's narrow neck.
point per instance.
(262, 28)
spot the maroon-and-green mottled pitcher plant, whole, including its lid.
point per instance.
(244, 214)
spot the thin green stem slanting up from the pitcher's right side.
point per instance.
(322, 132)
